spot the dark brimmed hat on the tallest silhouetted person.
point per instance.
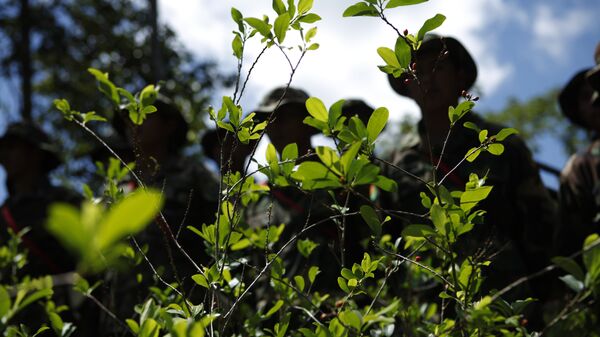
(457, 53)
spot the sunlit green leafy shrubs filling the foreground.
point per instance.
(417, 283)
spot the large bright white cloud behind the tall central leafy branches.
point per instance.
(346, 64)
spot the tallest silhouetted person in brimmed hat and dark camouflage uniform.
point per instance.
(520, 213)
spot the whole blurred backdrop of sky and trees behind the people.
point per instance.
(525, 52)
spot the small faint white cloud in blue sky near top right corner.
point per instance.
(555, 30)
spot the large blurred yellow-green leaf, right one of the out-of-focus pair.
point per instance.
(127, 217)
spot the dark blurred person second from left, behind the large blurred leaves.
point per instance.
(191, 194)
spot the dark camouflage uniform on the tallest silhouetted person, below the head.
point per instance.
(520, 213)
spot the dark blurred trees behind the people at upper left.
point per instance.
(116, 36)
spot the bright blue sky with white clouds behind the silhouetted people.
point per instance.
(522, 49)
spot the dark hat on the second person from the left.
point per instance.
(165, 108)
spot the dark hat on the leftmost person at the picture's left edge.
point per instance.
(29, 133)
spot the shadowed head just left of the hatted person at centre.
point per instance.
(217, 143)
